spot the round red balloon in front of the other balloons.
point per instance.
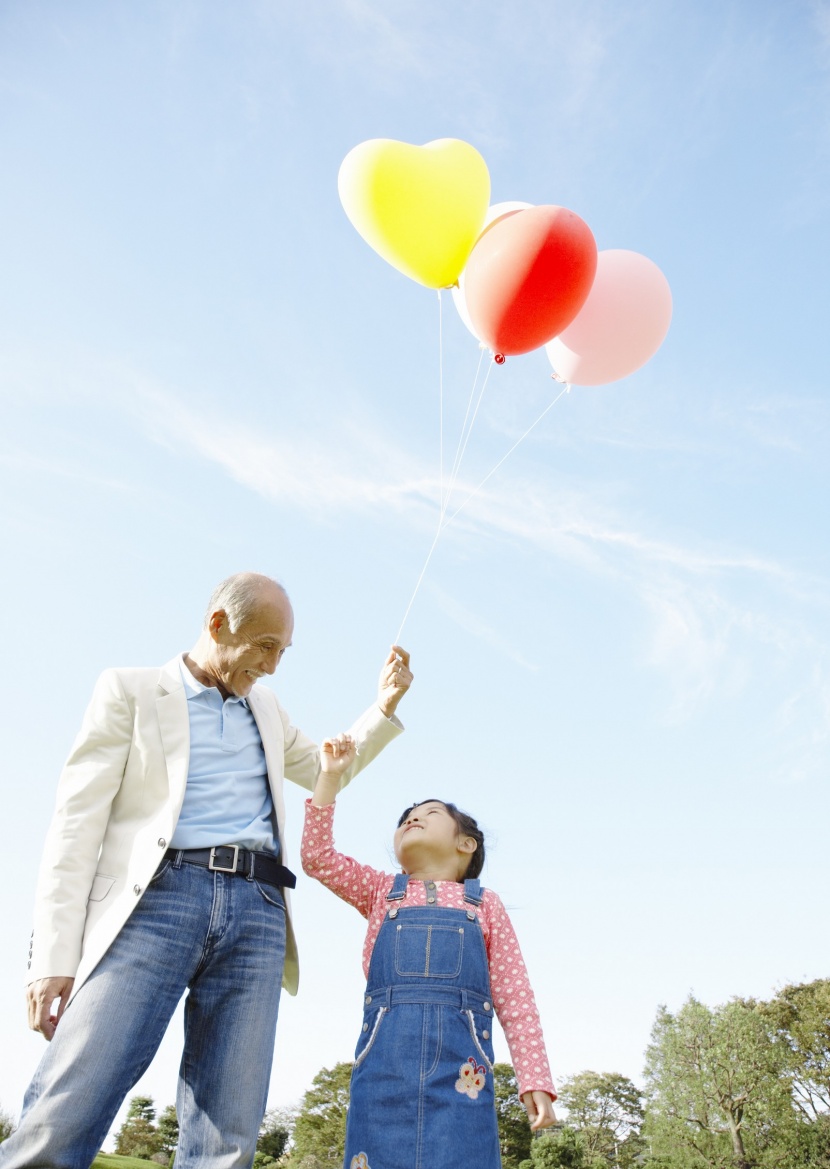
(529, 276)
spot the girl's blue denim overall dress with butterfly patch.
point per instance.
(423, 1085)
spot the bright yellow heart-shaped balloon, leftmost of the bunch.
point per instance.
(420, 207)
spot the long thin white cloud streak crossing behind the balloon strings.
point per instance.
(364, 469)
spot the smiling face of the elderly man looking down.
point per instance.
(238, 660)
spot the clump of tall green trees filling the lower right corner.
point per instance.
(742, 1085)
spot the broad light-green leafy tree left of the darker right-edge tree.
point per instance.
(717, 1092)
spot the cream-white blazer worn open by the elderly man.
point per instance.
(119, 801)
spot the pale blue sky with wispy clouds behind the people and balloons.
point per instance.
(621, 646)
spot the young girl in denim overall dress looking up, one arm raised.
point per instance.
(440, 957)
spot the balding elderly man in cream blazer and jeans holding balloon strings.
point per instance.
(165, 871)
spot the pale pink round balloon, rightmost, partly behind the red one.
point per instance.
(620, 327)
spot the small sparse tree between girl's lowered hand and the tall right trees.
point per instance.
(607, 1109)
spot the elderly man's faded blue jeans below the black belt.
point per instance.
(220, 937)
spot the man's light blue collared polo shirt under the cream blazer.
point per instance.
(227, 799)
